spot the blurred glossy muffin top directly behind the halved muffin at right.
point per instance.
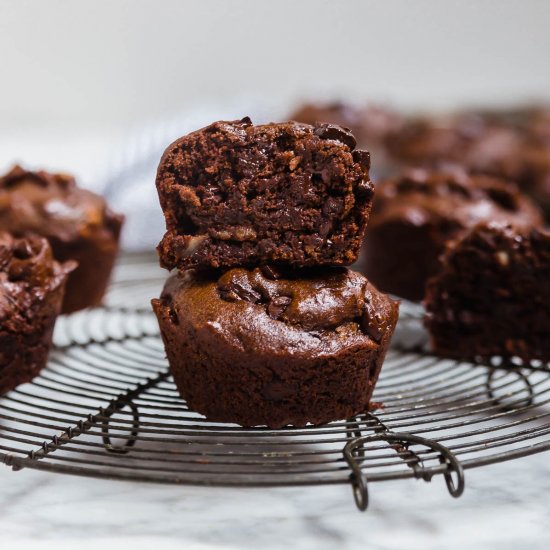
(451, 195)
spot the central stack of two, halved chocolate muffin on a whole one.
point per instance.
(262, 323)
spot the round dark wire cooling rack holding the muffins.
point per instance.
(106, 406)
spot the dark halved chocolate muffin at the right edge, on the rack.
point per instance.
(491, 296)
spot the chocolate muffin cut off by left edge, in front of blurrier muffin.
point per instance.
(31, 291)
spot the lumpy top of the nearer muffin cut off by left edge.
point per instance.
(28, 274)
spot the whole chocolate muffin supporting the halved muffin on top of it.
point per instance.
(261, 347)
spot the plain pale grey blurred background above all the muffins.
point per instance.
(115, 62)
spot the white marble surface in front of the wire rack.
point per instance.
(504, 507)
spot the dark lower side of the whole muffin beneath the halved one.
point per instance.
(222, 378)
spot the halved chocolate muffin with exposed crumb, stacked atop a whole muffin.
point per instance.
(235, 194)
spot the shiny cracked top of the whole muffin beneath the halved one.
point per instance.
(310, 311)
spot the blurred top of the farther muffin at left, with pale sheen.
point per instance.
(52, 205)
